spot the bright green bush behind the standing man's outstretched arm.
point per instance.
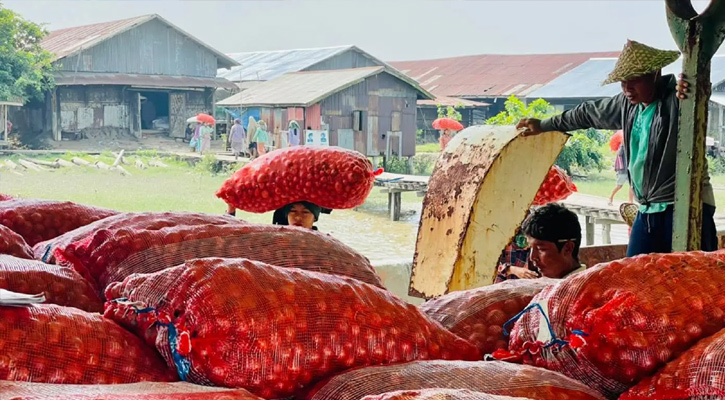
(582, 151)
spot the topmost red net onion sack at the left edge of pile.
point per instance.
(39, 220)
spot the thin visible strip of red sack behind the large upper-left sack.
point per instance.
(45, 251)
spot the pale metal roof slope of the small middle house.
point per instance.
(300, 89)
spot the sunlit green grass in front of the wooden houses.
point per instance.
(182, 187)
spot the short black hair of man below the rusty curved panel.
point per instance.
(554, 223)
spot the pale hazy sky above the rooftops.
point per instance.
(393, 30)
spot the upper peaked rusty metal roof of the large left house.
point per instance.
(66, 42)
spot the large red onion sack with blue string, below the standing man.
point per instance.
(619, 322)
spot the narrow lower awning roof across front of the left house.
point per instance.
(158, 81)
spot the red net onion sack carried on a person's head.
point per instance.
(331, 177)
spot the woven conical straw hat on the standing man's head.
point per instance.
(638, 59)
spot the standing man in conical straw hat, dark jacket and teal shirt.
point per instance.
(647, 111)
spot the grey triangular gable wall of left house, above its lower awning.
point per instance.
(152, 48)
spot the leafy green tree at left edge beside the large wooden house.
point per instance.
(25, 68)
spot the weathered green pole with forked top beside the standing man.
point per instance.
(698, 37)
